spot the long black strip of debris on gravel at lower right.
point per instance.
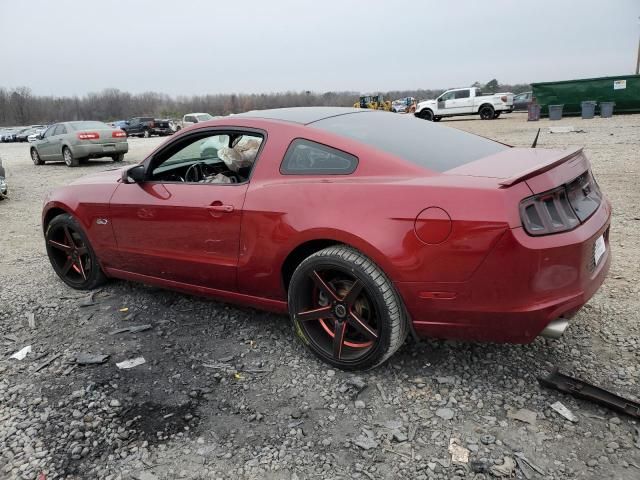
(581, 389)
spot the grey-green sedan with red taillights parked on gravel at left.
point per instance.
(74, 142)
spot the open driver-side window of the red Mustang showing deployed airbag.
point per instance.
(218, 158)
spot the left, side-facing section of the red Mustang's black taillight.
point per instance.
(549, 212)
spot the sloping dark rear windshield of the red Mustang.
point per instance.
(423, 143)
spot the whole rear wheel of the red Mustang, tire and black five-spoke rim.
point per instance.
(339, 291)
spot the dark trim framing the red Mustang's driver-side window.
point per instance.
(204, 132)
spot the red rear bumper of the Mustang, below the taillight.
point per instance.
(522, 285)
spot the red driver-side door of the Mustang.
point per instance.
(178, 227)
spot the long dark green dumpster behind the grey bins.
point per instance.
(624, 90)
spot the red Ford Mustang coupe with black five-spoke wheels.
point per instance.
(363, 225)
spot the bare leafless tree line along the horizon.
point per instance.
(19, 106)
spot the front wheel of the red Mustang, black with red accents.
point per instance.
(71, 254)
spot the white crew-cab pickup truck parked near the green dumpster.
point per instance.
(465, 101)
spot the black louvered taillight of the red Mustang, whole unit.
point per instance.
(562, 208)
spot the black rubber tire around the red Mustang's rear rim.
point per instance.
(356, 264)
